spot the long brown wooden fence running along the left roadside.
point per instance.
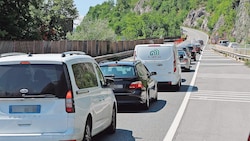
(93, 48)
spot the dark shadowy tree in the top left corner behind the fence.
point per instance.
(16, 21)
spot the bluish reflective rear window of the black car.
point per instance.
(118, 70)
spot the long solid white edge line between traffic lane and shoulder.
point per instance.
(175, 124)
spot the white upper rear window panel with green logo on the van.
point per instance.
(154, 53)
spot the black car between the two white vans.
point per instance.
(132, 82)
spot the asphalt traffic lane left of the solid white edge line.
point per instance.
(152, 125)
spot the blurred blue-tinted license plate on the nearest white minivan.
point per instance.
(14, 109)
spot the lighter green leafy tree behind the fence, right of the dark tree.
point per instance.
(58, 19)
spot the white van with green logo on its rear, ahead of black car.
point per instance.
(163, 59)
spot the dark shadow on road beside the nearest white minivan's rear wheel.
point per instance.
(120, 135)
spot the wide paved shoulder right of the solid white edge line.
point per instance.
(218, 109)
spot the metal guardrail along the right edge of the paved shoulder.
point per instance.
(237, 53)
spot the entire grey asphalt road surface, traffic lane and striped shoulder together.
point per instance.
(212, 105)
